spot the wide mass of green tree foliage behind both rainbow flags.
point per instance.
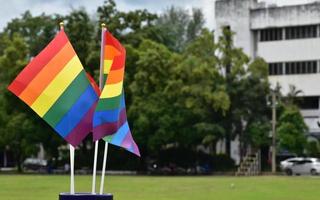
(182, 88)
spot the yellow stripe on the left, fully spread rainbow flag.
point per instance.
(58, 85)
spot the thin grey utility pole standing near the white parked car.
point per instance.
(274, 121)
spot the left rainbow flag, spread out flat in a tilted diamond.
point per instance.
(55, 85)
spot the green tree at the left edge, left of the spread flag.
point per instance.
(23, 129)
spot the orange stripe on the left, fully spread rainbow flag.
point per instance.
(47, 74)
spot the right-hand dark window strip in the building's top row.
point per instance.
(298, 32)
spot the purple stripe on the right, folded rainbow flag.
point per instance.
(109, 128)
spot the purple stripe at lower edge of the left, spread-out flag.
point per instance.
(83, 128)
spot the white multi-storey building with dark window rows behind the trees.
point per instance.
(288, 38)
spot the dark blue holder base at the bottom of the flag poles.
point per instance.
(85, 196)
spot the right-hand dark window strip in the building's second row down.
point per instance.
(304, 67)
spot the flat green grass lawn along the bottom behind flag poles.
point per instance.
(33, 187)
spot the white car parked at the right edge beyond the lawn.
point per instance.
(300, 166)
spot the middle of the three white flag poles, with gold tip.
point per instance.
(96, 144)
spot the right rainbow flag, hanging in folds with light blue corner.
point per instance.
(110, 119)
